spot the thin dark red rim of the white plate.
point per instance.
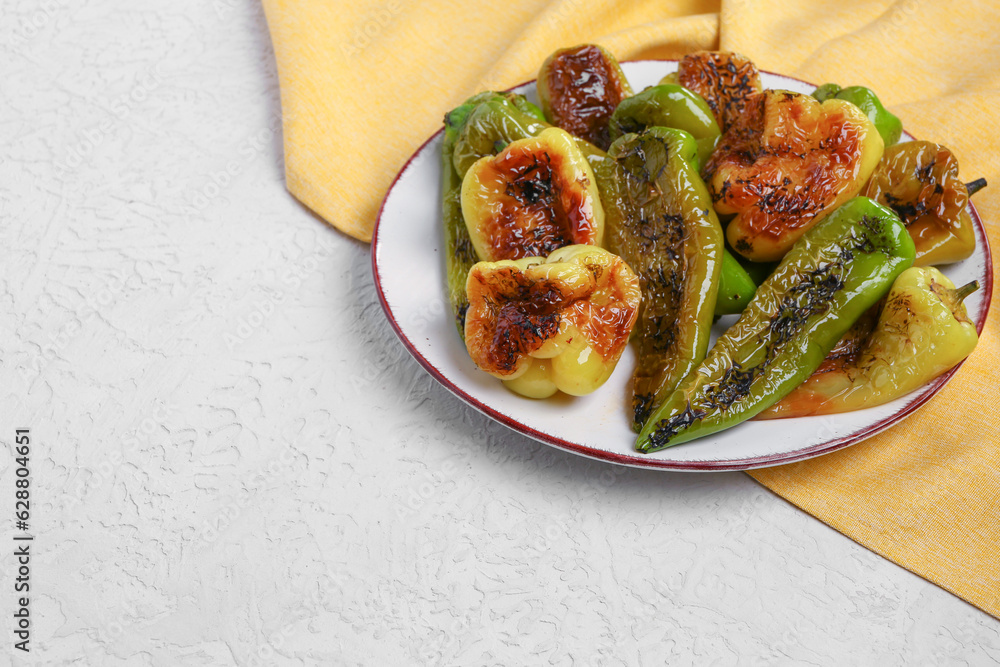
(926, 393)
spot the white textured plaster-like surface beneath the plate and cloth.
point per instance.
(235, 461)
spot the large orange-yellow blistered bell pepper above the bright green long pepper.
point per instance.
(786, 163)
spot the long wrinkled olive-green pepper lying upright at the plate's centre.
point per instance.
(660, 220)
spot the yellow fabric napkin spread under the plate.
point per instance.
(364, 83)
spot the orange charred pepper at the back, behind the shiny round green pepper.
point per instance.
(725, 80)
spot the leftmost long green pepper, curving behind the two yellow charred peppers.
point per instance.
(483, 125)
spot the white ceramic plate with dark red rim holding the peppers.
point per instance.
(409, 273)
